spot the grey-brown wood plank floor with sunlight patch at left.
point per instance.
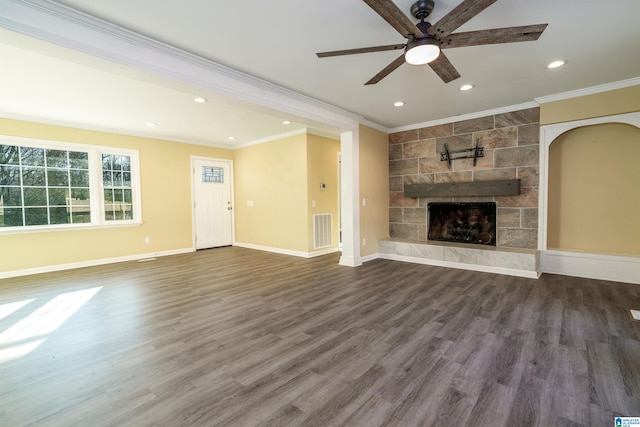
(236, 337)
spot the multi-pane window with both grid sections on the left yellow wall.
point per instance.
(46, 185)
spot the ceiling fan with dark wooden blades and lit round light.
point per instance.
(425, 41)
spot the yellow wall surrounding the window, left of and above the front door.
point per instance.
(165, 180)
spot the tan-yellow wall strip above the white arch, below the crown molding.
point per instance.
(602, 104)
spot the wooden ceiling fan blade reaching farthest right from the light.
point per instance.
(494, 36)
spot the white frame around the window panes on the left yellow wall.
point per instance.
(96, 187)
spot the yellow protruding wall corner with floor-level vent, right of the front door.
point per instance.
(282, 178)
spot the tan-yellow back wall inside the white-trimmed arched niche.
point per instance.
(594, 196)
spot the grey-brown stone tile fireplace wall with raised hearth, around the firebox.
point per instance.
(511, 151)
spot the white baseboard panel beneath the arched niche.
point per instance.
(592, 266)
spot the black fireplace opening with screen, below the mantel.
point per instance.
(462, 222)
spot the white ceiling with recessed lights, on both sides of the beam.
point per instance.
(276, 41)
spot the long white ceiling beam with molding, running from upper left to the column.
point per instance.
(67, 27)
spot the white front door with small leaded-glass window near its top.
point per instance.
(213, 210)
